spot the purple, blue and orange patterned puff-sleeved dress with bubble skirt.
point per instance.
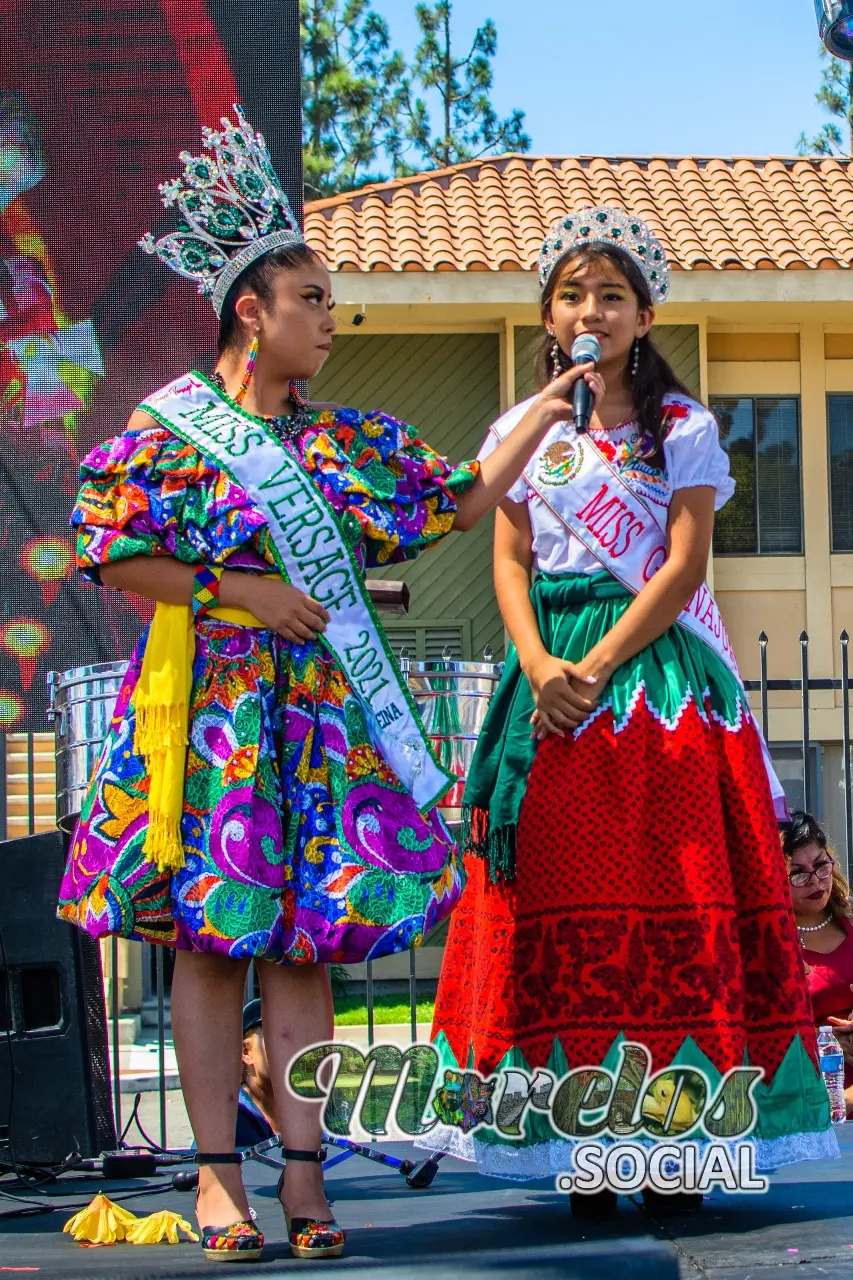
(300, 844)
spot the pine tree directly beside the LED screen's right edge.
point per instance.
(352, 84)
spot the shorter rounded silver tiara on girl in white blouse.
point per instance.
(604, 226)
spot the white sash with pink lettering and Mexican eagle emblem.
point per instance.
(627, 537)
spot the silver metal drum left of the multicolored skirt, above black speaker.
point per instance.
(81, 707)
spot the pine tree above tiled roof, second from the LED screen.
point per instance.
(469, 126)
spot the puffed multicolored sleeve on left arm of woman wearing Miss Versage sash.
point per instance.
(148, 493)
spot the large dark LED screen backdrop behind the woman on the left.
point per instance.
(97, 100)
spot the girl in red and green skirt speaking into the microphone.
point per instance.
(626, 879)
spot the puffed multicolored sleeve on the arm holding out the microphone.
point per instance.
(400, 491)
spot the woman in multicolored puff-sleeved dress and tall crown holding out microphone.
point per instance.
(267, 789)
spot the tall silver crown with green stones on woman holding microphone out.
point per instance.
(234, 211)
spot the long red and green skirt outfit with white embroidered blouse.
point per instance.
(627, 883)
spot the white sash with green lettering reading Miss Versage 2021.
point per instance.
(312, 554)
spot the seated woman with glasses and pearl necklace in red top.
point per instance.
(824, 915)
